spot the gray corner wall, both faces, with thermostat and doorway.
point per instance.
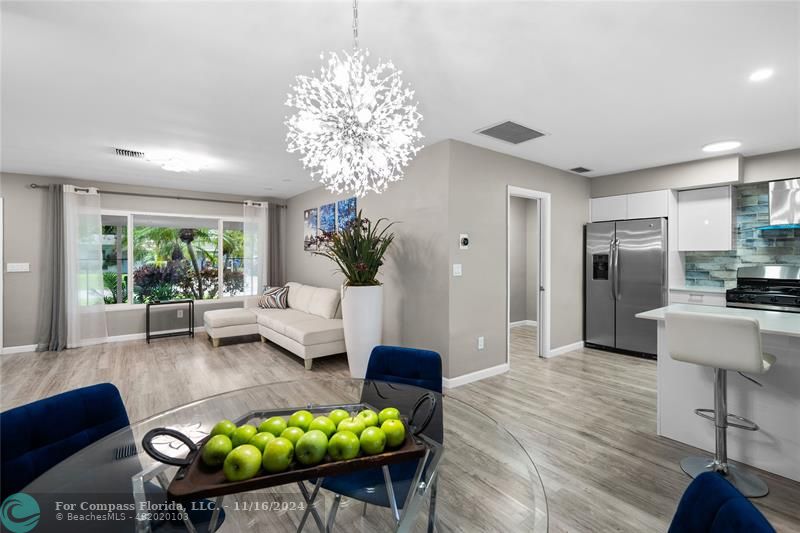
(452, 188)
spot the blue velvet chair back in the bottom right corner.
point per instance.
(712, 505)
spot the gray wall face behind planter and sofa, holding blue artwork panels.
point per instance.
(416, 270)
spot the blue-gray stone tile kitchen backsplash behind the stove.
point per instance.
(753, 246)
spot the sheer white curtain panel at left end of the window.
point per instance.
(83, 265)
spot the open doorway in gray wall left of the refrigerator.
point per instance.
(527, 296)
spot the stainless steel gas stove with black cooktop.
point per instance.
(768, 287)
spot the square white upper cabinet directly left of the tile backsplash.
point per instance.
(705, 219)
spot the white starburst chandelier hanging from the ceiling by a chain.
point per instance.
(356, 126)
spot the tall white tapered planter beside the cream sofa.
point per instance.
(362, 314)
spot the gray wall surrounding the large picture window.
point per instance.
(23, 222)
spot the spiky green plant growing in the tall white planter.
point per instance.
(358, 249)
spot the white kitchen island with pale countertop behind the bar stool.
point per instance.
(775, 407)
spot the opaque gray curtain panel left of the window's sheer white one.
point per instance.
(52, 327)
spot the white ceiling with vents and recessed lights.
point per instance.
(616, 85)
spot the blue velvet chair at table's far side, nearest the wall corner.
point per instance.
(408, 366)
